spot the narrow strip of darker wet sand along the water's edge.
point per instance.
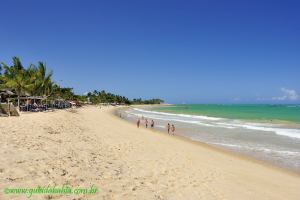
(215, 148)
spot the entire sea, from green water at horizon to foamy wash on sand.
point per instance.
(265, 132)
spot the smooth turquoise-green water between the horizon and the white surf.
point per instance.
(288, 113)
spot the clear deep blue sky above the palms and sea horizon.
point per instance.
(203, 51)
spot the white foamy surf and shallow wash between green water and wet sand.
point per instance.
(274, 141)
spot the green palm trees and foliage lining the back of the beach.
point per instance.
(37, 80)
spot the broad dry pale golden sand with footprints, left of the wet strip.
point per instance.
(91, 146)
